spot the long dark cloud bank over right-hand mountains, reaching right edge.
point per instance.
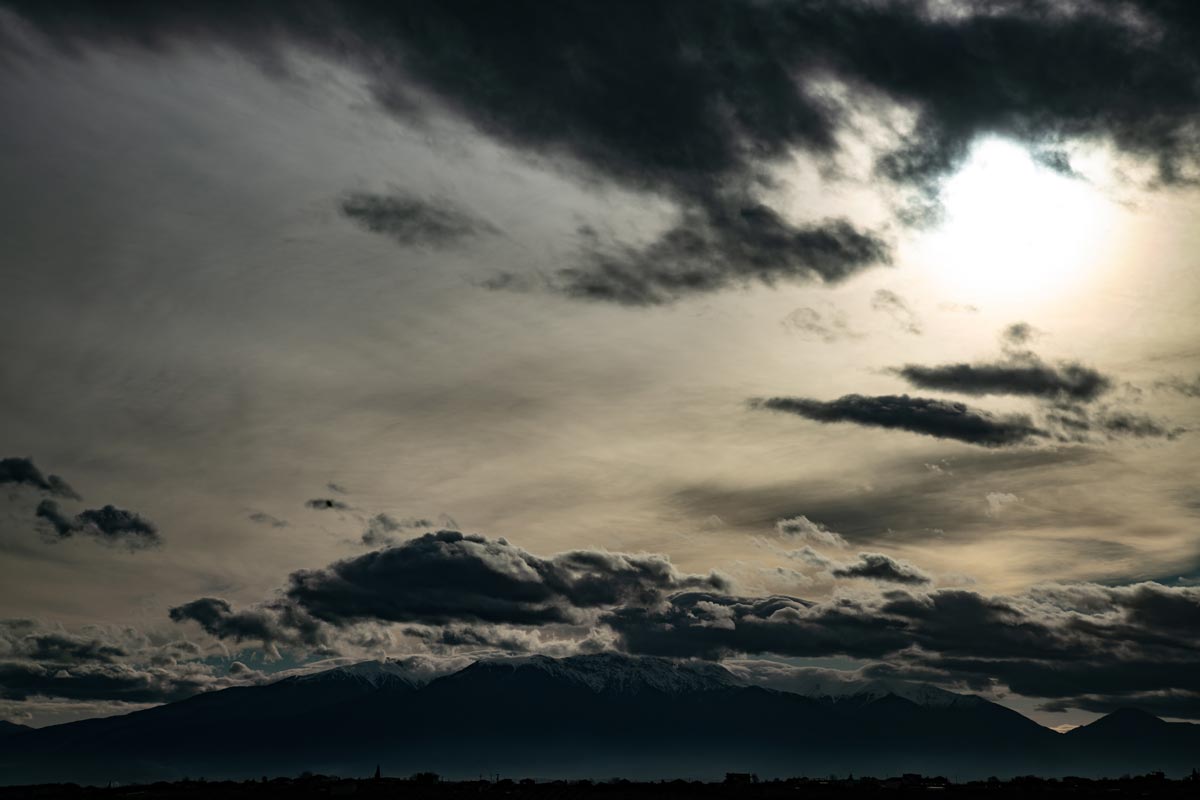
(1081, 646)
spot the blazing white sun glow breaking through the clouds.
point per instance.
(1016, 228)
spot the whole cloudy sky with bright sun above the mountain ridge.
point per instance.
(794, 335)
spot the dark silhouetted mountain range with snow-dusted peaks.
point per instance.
(584, 717)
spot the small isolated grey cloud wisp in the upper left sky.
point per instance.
(413, 221)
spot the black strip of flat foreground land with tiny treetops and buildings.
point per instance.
(736, 787)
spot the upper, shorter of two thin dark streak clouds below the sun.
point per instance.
(1028, 377)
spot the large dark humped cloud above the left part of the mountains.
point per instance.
(446, 579)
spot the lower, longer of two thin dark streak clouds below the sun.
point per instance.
(929, 417)
